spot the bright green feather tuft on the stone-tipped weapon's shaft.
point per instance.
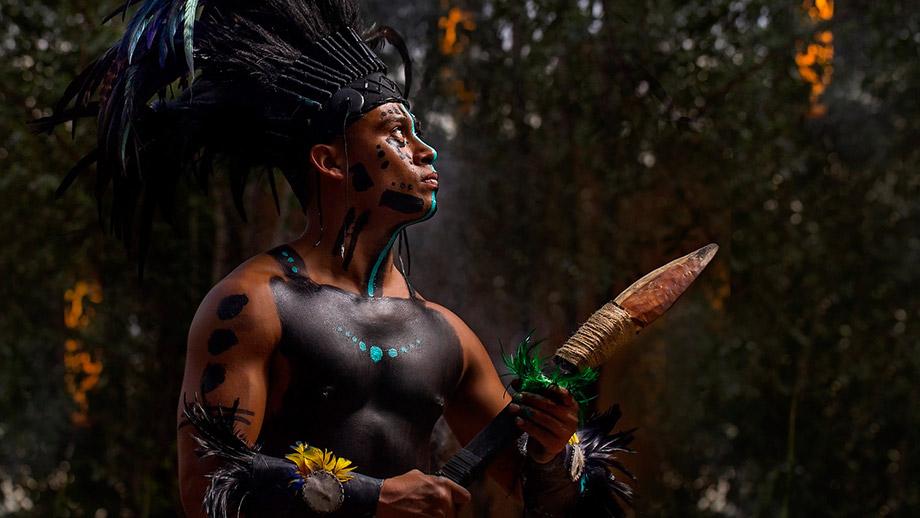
(535, 376)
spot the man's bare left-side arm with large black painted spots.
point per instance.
(230, 344)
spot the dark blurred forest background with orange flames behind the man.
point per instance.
(583, 143)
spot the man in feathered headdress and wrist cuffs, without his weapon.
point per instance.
(321, 341)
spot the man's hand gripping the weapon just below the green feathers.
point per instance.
(549, 419)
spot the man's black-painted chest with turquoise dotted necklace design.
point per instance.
(357, 360)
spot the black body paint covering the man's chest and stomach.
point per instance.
(376, 408)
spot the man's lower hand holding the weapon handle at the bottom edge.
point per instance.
(417, 494)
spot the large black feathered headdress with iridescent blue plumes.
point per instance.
(256, 82)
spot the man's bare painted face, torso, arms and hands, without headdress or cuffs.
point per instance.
(330, 345)
